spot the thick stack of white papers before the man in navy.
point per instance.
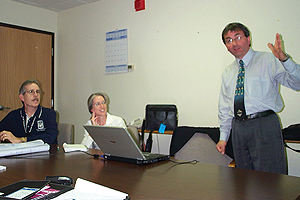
(9, 149)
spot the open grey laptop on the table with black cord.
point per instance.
(117, 144)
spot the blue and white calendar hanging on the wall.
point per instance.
(116, 52)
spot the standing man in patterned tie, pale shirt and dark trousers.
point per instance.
(249, 100)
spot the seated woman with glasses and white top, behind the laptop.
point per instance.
(97, 105)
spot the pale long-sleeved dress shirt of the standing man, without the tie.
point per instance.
(263, 74)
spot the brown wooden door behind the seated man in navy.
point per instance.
(24, 54)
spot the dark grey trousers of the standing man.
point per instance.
(258, 144)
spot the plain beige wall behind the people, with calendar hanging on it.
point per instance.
(175, 46)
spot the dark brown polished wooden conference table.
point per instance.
(172, 179)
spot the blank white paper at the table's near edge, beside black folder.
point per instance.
(88, 190)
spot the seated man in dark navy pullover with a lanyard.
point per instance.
(32, 121)
